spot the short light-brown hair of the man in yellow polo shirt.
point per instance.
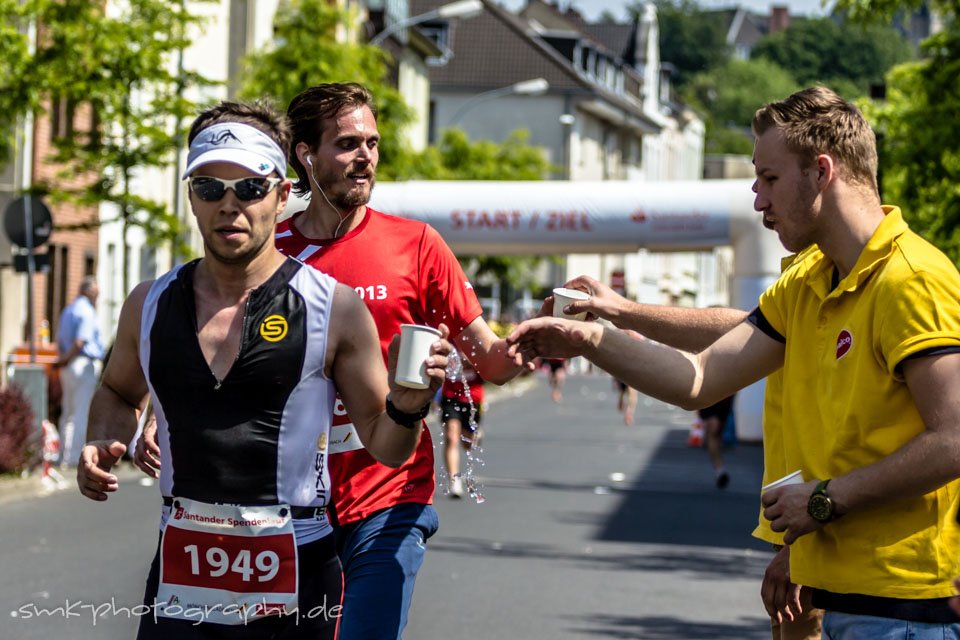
(817, 121)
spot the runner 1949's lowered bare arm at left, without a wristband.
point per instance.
(115, 405)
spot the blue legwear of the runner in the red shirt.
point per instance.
(381, 556)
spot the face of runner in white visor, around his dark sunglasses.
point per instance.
(234, 231)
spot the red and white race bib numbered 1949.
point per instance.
(227, 564)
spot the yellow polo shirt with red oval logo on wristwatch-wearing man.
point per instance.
(846, 405)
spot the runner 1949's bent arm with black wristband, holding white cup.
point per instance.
(355, 364)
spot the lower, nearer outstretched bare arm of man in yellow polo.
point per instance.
(691, 381)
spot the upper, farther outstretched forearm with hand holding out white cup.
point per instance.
(680, 327)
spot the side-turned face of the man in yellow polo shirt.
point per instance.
(787, 193)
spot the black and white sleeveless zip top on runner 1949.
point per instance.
(259, 436)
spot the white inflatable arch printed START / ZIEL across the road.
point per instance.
(553, 217)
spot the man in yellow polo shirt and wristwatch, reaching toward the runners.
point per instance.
(867, 331)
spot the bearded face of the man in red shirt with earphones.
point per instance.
(347, 157)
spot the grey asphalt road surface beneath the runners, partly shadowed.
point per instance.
(590, 529)
